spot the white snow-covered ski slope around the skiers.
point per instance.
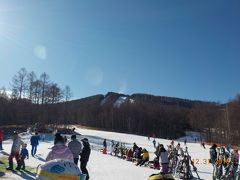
(107, 167)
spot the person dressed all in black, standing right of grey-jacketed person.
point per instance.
(85, 156)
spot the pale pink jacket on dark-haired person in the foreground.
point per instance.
(60, 151)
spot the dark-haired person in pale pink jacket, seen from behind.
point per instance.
(59, 150)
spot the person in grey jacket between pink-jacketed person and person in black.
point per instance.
(75, 147)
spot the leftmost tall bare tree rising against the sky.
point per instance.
(19, 83)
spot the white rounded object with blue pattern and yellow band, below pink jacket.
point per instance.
(59, 169)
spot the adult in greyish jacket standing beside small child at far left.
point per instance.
(15, 150)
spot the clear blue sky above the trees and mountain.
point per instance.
(187, 49)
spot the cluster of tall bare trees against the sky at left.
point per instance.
(38, 90)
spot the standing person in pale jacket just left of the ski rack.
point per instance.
(163, 160)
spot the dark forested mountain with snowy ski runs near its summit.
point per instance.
(144, 114)
